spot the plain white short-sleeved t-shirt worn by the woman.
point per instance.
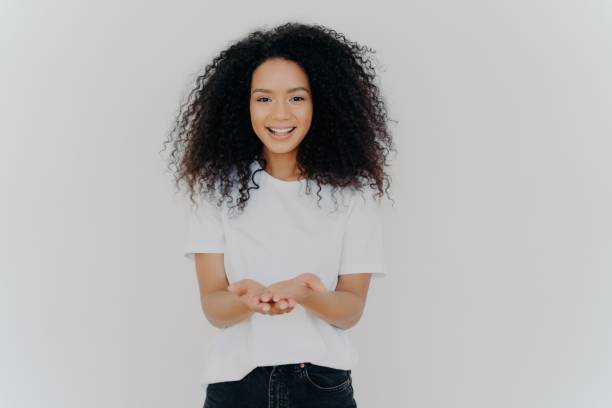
(282, 233)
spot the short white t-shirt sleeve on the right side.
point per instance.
(362, 247)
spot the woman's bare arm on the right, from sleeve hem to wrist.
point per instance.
(344, 306)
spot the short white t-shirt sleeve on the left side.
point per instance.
(204, 230)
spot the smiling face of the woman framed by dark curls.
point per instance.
(280, 101)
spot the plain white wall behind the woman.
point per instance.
(499, 243)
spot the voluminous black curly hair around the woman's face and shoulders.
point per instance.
(346, 146)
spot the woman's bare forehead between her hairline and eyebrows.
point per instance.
(279, 75)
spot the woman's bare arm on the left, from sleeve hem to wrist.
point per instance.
(221, 307)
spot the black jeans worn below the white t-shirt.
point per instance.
(304, 385)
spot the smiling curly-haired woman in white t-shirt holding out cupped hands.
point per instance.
(287, 275)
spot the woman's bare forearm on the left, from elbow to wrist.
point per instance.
(222, 308)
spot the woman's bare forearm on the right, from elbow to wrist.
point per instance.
(338, 308)
